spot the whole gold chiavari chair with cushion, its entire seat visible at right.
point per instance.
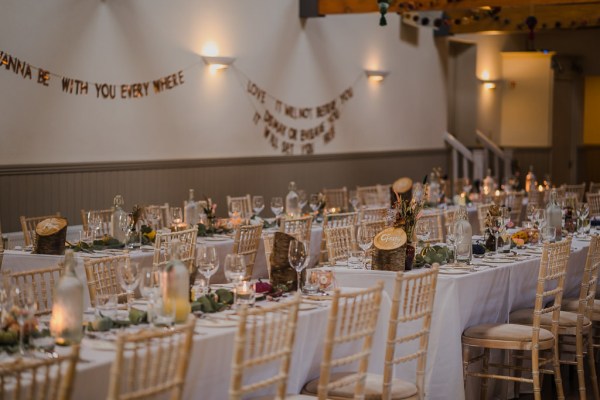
(520, 338)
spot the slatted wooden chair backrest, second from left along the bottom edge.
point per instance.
(151, 362)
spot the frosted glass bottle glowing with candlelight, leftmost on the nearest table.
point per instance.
(67, 307)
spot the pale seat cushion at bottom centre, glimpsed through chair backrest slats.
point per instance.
(373, 388)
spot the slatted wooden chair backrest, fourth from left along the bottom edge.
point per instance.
(352, 320)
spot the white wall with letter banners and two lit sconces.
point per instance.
(127, 41)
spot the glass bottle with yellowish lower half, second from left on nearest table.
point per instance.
(175, 285)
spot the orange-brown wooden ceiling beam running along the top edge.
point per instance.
(326, 7)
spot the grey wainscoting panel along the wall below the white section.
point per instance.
(68, 188)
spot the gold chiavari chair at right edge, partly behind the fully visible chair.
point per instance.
(576, 317)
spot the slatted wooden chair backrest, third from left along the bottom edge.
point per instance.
(265, 336)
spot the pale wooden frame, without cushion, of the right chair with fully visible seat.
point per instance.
(553, 268)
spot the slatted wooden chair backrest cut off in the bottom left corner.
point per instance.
(53, 377)
